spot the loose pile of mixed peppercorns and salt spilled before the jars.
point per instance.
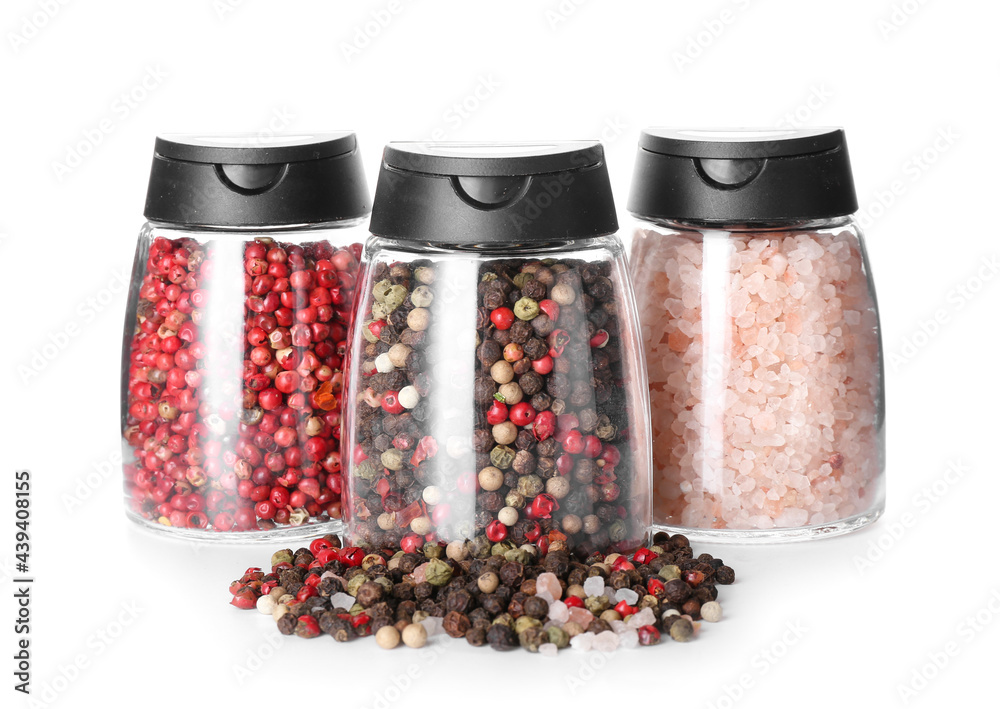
(512, 597)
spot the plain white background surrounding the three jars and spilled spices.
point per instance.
(122, 616)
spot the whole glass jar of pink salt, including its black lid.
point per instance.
(761, 333)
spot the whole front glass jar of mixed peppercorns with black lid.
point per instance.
(496, 393)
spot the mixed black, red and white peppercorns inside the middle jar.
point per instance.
(503, 421)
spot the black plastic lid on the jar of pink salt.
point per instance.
(742, 175)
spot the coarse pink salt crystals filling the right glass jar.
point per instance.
(764, 398)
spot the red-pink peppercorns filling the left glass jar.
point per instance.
(233, 401)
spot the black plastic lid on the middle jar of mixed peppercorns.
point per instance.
(488, 193)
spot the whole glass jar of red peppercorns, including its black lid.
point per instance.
(239, 308)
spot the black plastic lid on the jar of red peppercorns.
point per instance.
(243, 180)
